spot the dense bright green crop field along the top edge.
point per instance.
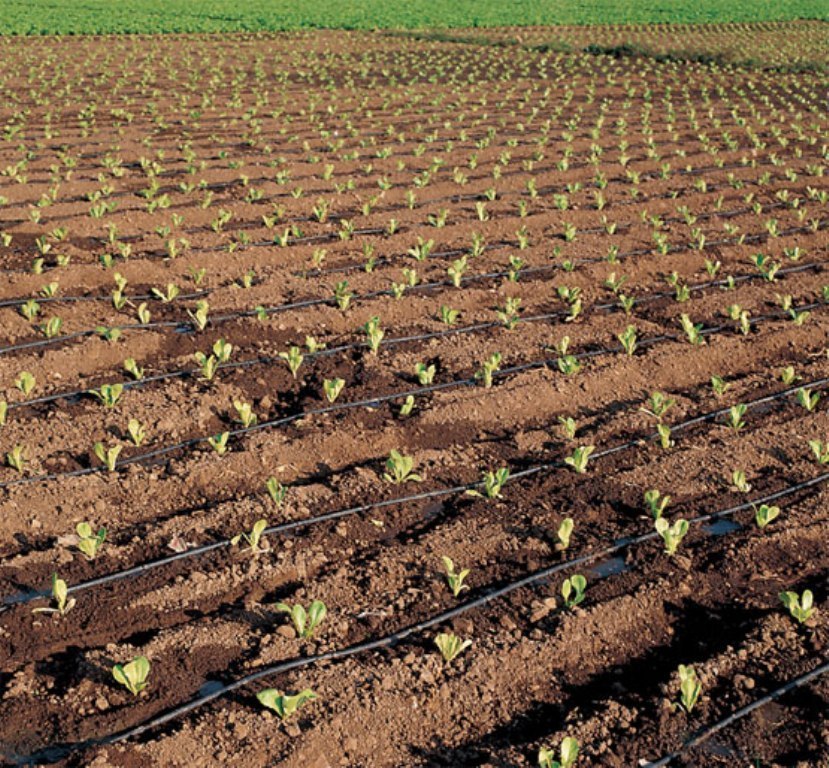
(25, 17)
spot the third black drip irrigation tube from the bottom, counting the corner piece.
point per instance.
(294, 525)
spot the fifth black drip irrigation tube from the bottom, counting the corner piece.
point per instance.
(413, 338)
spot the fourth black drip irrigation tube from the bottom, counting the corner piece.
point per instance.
(370, 403)
